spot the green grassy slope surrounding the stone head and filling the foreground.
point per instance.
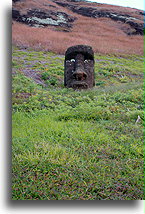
(70, 145)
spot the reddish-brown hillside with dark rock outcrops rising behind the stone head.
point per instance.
(54, 25)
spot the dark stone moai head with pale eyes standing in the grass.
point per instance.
(79, 67)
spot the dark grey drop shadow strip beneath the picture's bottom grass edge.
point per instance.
(124, 205)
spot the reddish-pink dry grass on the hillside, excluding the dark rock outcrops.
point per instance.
(103, 34)
